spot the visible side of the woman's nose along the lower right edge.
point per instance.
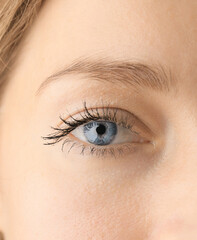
(175, 198)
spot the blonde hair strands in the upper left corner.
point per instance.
(15, 17)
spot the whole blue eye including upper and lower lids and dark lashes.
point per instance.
(101, 131)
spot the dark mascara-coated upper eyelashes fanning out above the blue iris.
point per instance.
(91, 114)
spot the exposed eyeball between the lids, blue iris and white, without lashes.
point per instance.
(105, 133)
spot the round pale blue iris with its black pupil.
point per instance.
(100, 132)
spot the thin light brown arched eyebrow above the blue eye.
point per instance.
(132, 73)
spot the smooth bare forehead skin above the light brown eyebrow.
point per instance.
(152, 31)
